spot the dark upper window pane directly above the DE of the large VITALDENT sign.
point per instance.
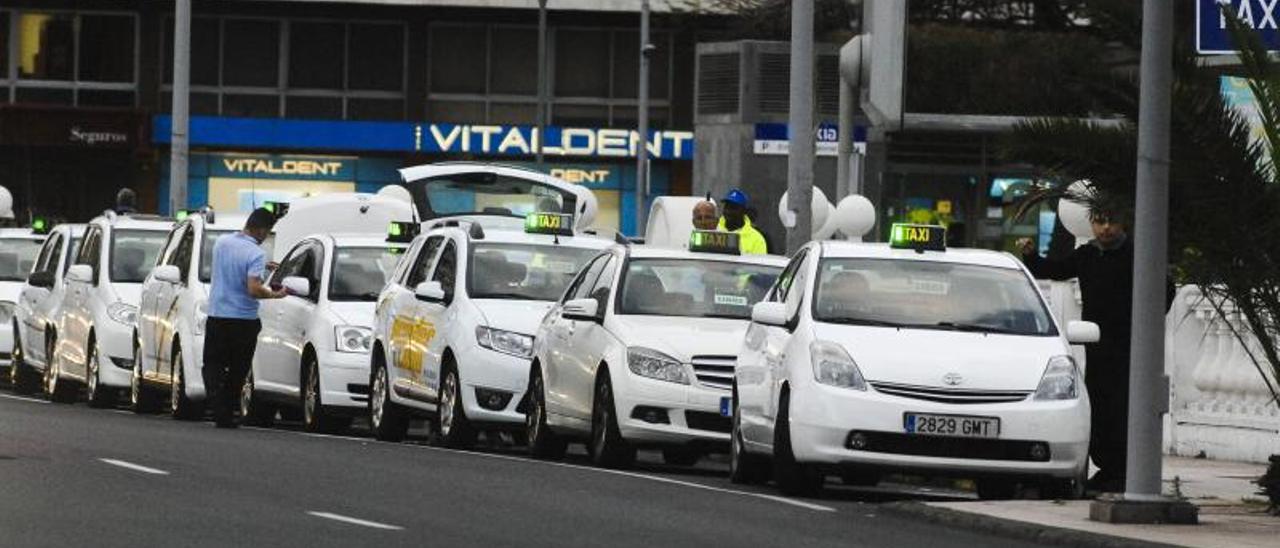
(582, 63)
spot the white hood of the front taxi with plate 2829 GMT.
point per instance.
(925, 357)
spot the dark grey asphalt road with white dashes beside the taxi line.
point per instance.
(77, 477)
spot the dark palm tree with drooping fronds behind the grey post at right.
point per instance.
(1224, 189)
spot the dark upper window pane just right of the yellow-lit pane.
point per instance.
(107, 51)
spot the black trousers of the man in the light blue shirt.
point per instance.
(228, 355)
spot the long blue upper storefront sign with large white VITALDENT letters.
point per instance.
(427, 138)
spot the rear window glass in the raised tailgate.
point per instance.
(487, 194)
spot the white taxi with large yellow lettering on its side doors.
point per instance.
(455, 330)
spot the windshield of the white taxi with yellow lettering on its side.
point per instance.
(524, 271)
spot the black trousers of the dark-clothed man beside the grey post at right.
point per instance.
(1108, 382)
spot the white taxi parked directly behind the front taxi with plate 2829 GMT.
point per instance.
(641, 351)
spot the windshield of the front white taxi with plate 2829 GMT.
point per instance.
(930, 296)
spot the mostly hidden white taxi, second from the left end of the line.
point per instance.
(39, 305)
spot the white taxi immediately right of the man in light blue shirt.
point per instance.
(313, 353)
